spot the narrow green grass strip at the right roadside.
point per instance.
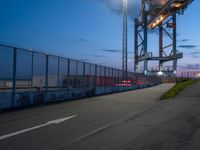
(180, 86)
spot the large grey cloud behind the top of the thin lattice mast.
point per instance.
(116, 7)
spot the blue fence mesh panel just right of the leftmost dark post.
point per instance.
(23, 96)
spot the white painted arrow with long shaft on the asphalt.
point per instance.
(57, 121)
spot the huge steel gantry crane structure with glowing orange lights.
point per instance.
(159, 14)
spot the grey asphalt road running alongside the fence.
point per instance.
(134, 120)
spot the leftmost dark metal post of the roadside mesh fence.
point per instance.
(14, 76)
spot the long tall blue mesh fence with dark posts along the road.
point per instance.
(31, 77)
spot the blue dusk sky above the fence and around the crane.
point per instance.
(88, 30)
